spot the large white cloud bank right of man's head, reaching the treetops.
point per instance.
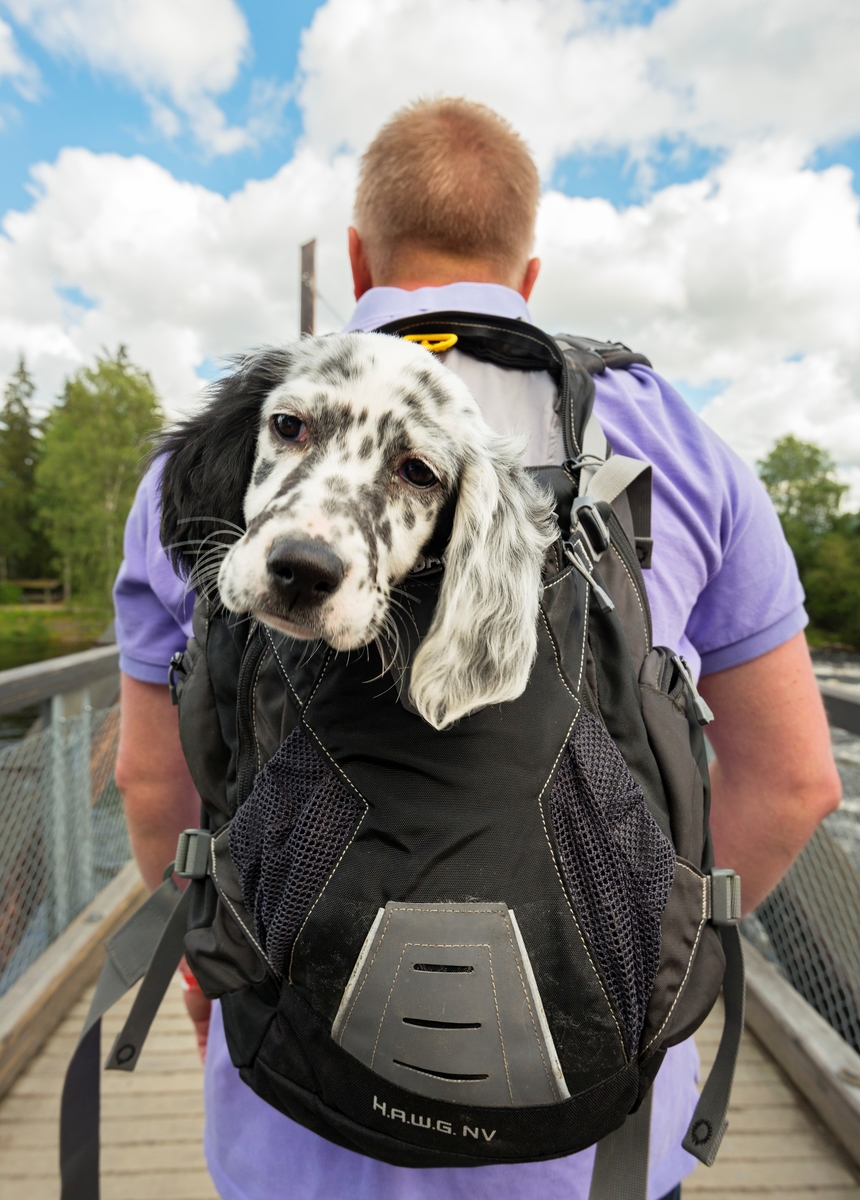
(748, 277)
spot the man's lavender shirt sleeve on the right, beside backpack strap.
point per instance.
(724, 585)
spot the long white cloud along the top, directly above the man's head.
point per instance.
(569, 79)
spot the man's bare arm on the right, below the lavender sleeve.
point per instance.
(774, 778)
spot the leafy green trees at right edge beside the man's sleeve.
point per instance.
(802, 482)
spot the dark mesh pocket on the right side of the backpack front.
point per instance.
(618, 865)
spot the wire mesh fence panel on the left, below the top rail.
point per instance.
(63, 832)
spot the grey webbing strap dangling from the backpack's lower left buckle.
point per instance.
(155, 932)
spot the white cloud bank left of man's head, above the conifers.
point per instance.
(178, 273)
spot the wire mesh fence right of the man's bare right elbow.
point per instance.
(810, 926)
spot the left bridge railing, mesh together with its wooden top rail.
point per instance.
(63, 833)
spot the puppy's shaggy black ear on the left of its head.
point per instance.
(209, 459)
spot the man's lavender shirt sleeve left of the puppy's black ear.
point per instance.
(152, 603)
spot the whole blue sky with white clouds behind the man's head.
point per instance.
(701, 165)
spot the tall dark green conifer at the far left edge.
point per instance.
(23, 549)
